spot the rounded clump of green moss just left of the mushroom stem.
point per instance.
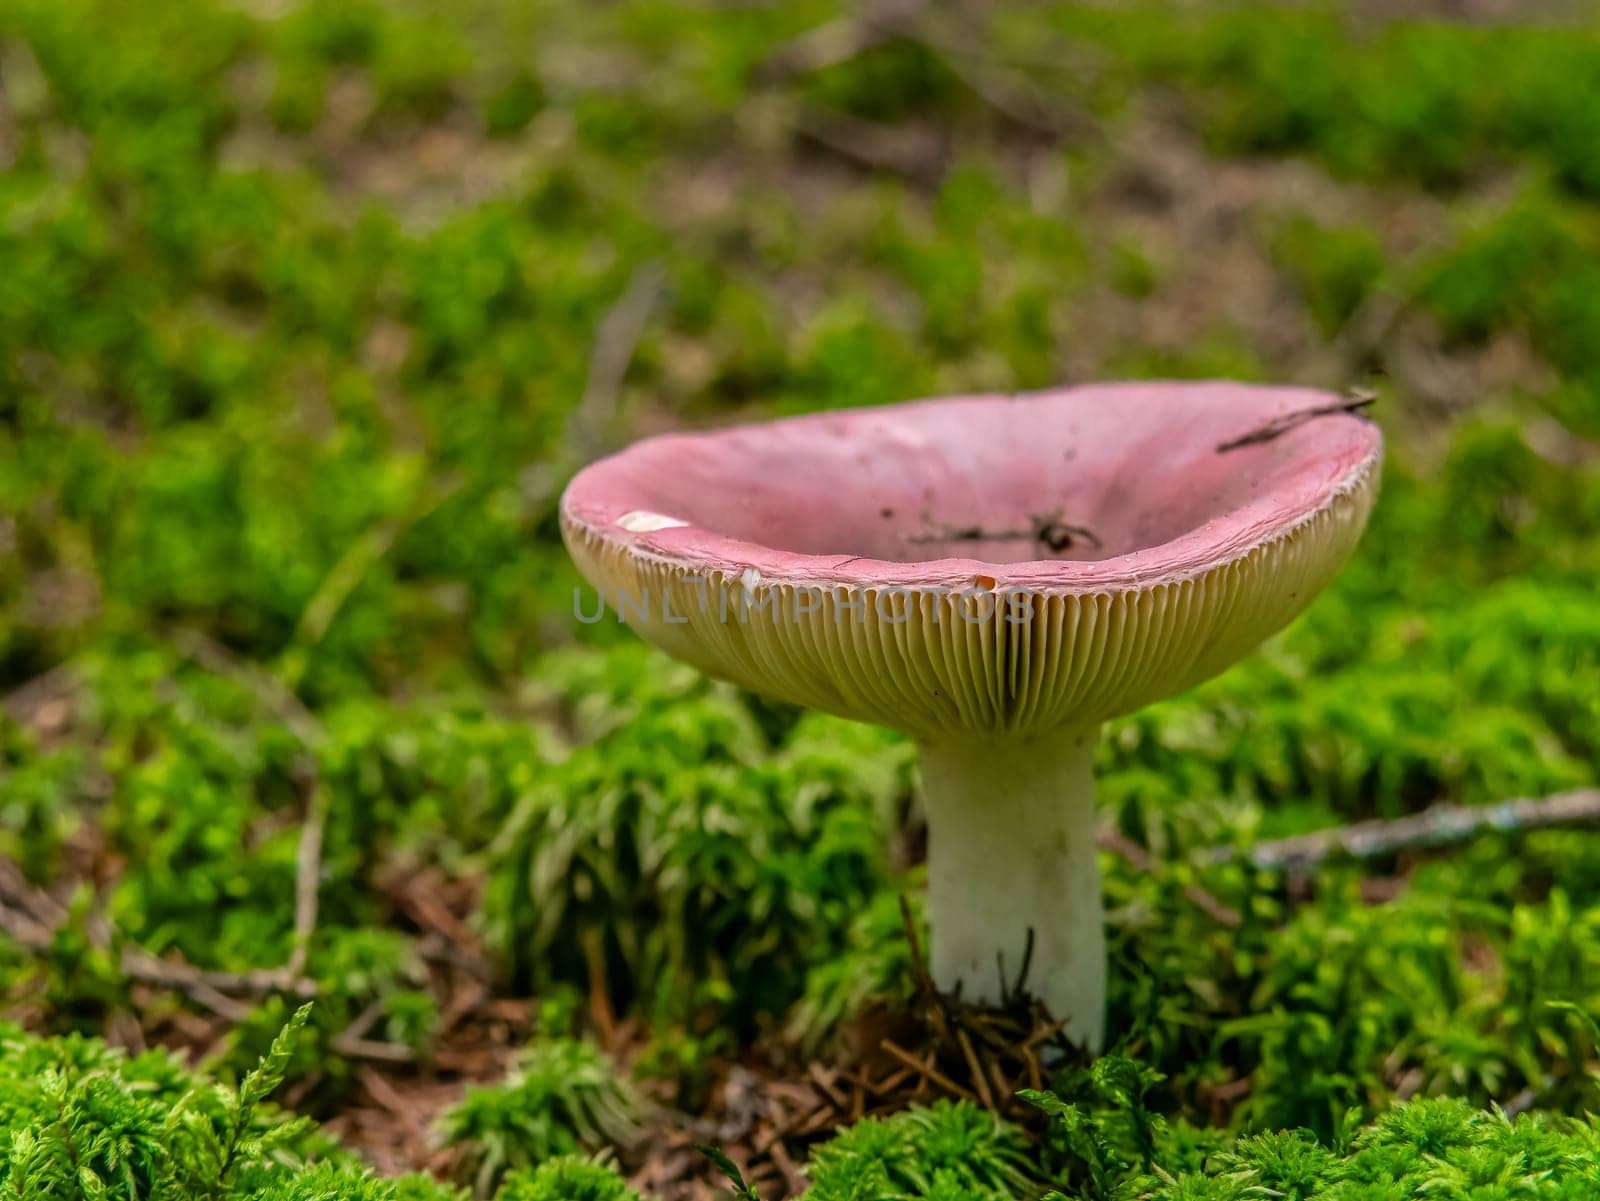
(647, 855)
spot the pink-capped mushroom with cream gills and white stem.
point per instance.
(996, 577)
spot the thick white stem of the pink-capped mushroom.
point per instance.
(1012, 847)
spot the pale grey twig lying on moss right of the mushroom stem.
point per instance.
(1436, 828)
